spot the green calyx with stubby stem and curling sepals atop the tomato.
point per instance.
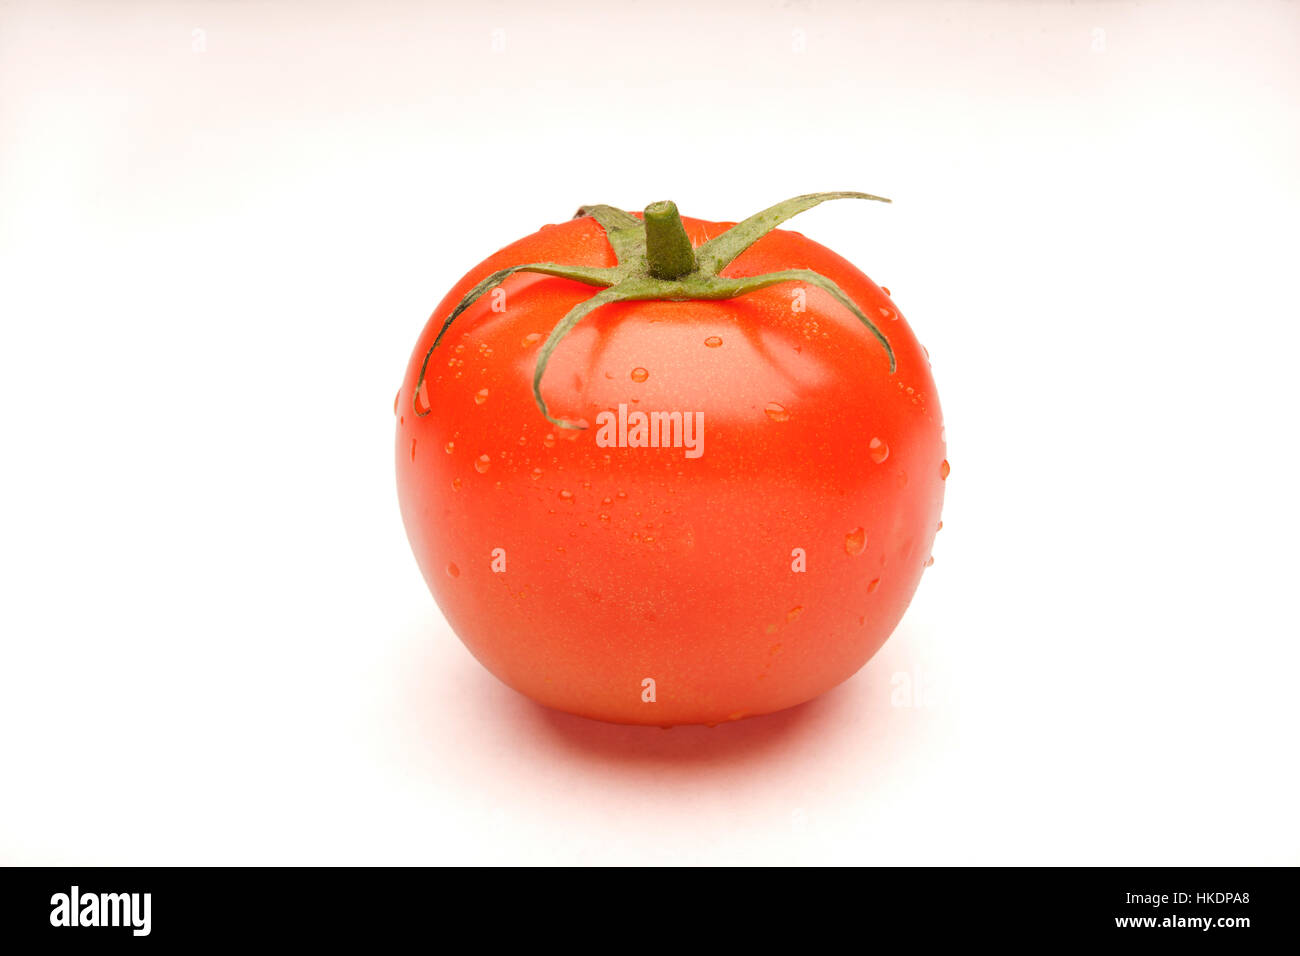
(656, 261)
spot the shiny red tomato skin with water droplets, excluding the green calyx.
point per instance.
(626, 564)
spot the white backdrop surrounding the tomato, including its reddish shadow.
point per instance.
(218, 250)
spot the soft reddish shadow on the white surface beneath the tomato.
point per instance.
(473, 723)
